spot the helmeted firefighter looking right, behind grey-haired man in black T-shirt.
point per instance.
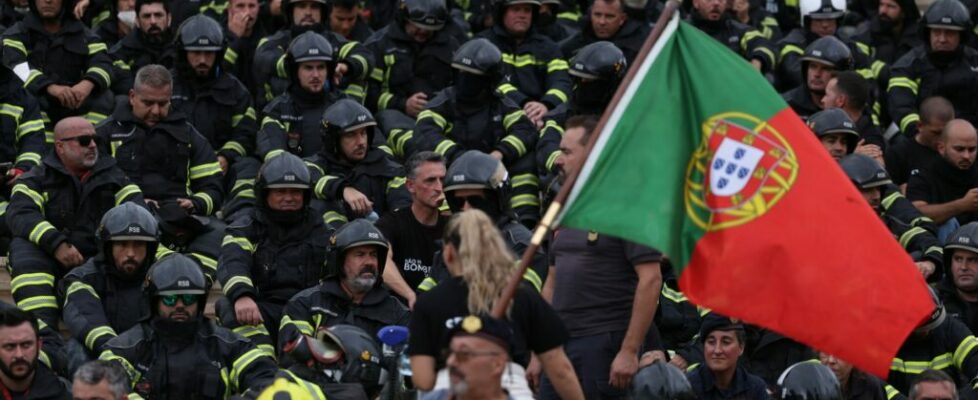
(353, 175)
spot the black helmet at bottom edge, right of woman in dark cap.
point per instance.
(809, 380)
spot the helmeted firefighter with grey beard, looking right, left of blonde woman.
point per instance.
(352, 294)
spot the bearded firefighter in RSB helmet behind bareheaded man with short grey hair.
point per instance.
(215, 102)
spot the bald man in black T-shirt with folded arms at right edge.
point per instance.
(947, 189)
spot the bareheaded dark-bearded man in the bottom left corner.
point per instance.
(21, 375)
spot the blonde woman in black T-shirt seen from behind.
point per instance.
(480, 263)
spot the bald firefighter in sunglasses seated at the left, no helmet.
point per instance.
(55, 210)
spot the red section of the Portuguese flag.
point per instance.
(819, 266)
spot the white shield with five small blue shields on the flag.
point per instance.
(731, 167)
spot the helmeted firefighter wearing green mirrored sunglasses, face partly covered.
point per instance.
(177, 353)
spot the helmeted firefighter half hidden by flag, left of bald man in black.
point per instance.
(914, 231)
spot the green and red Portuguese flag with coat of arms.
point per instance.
(701, 159)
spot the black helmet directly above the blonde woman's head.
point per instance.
(477, 170)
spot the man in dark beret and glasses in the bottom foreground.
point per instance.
(477, 358)
